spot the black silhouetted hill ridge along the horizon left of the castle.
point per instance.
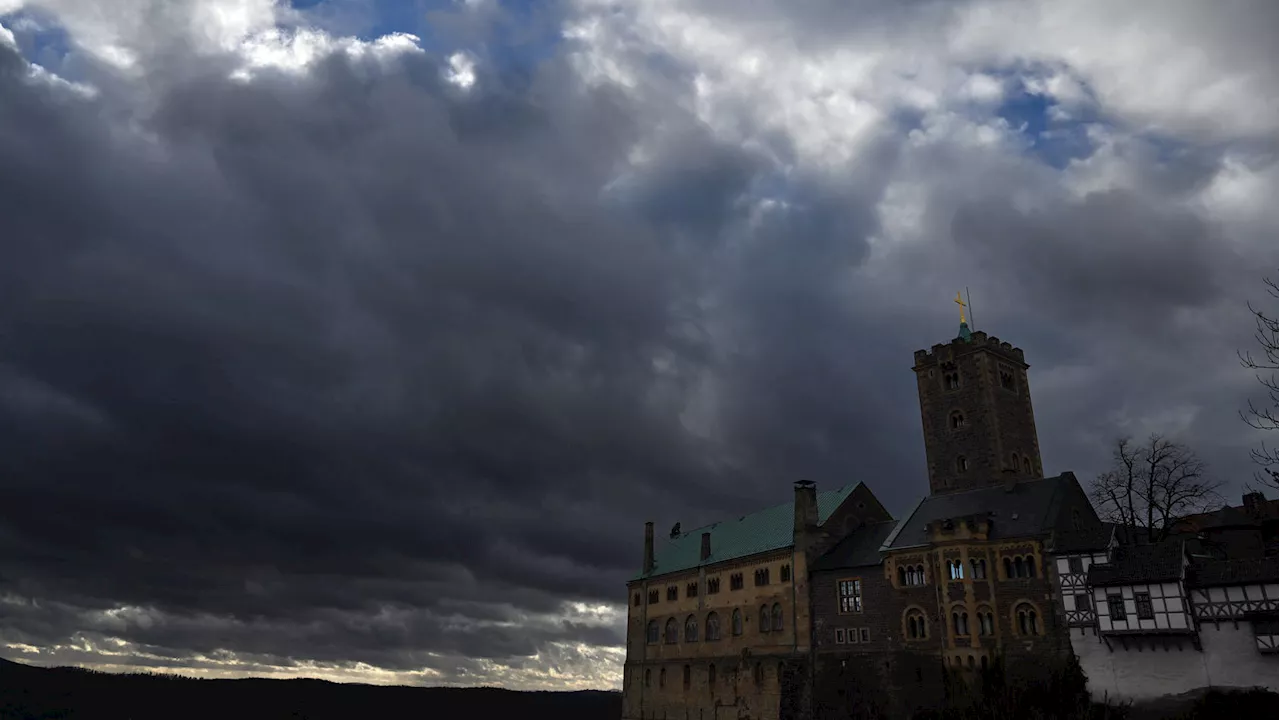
(29, 692)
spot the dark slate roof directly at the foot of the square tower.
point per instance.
(1030, 509)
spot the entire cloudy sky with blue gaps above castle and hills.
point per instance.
(359, 339)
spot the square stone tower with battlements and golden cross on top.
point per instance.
(976, 408)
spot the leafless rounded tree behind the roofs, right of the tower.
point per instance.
(1151, 485)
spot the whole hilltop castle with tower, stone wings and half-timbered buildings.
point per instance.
(826, 607)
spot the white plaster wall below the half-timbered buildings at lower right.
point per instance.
(1231, 659)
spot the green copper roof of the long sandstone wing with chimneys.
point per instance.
(749, 535)
